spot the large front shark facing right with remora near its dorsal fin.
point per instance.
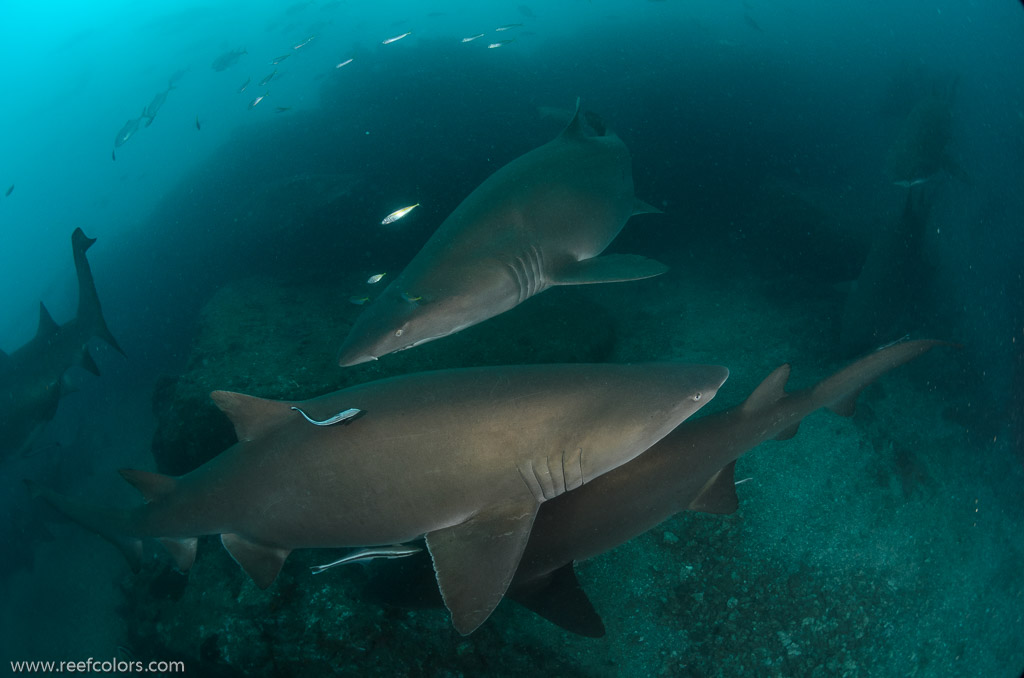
(463, 457)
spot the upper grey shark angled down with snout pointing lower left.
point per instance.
(541, 221)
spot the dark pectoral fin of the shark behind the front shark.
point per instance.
(562, 601)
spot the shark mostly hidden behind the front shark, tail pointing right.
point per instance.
(691, 470)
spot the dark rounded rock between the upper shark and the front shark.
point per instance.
(266, 338)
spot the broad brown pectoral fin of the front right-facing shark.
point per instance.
(476, 561)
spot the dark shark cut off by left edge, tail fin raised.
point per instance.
(32, 378)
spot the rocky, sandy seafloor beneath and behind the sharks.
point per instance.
(881, 545)
